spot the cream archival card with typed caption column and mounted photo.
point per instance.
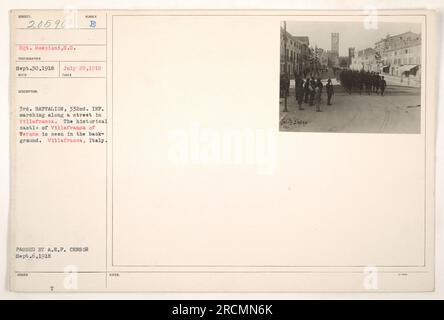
(222, 151)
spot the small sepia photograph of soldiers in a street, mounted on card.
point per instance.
(350, 77)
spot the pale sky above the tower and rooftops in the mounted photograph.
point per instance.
(351, 34)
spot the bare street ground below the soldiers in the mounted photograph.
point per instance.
(398, 111)
